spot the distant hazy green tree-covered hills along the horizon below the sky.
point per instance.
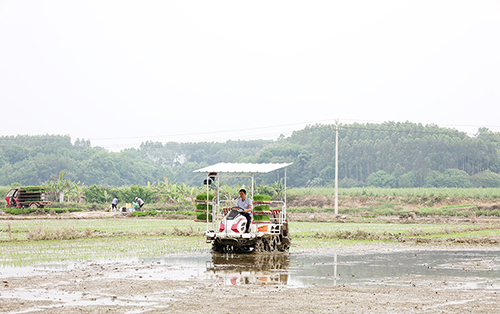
(385, 155)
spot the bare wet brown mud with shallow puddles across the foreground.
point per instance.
(382, 278)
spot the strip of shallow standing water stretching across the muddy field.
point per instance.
(454, 269)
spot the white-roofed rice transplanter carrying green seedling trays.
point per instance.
(225, 225)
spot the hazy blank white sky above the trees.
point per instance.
(123, 72)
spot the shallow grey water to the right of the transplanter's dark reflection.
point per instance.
(471, 269)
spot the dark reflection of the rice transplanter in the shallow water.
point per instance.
(237, 269)
